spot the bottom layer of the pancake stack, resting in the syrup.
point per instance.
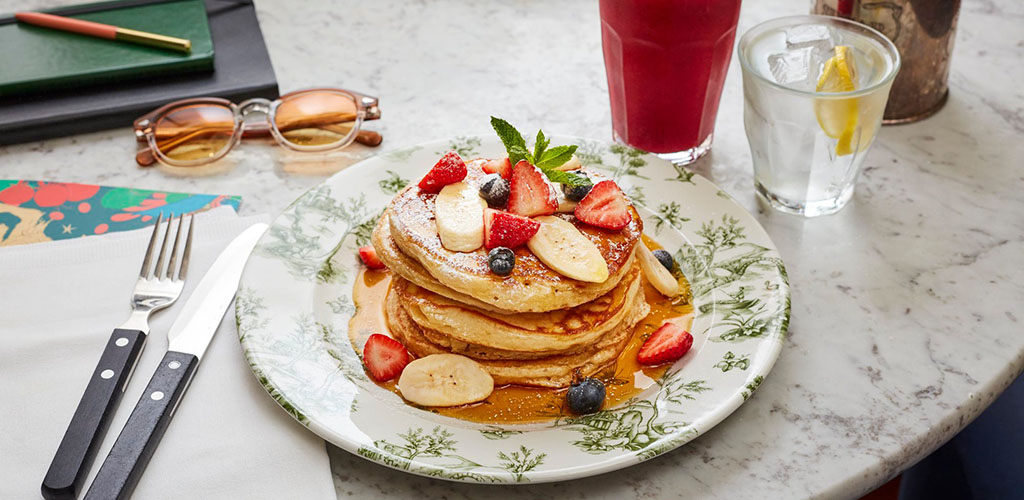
(552, 371)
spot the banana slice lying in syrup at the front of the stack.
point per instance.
(445, 381)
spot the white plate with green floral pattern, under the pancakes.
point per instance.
(294, 305)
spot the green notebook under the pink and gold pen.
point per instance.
(35, 59)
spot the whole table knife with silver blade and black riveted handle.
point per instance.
(188, 341)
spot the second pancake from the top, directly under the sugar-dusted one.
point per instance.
(554, 332)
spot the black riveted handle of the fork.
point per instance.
(86, 433)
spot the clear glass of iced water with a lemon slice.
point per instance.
(815, 91)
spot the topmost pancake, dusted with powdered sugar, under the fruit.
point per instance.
(532, 286)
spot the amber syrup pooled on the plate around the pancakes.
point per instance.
(519, 404)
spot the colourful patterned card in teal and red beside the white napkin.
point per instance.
(37, 212)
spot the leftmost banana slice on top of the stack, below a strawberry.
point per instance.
(459, 211)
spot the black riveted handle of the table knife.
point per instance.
(124, 466)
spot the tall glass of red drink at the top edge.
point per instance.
(666, 62)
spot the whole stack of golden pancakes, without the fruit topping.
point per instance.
(534, 327)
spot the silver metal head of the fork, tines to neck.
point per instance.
(158, 285)
